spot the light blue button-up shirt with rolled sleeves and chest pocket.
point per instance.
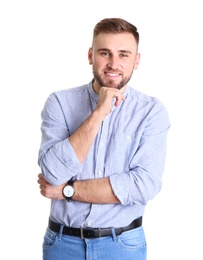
(130, 149)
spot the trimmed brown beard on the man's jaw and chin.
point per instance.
(111, 83)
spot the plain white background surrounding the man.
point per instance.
(43, 48)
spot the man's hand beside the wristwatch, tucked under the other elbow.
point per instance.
(48, 190)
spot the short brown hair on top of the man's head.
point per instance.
(115, 25)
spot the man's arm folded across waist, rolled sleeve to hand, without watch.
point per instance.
(136, 186)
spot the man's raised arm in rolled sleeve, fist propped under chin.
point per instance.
(65, 140)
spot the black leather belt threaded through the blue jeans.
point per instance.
(92, 232)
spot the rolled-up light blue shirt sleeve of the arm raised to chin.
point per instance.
(57, 158)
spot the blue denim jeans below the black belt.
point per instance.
(130, 245)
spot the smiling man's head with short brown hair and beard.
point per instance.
(114, 53)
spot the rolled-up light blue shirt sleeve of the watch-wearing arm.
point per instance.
(143, 180)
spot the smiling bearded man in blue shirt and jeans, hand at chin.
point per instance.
(102, 155)
